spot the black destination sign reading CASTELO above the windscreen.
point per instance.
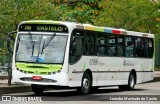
(43, 28)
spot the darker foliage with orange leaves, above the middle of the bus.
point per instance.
(82, 11)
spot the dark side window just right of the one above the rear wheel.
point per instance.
(139, 47)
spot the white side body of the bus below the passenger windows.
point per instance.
(113, 70)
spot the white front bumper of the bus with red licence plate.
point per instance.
(58, 79)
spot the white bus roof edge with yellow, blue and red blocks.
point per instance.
(91, 27)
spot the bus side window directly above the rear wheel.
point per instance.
(129, 46)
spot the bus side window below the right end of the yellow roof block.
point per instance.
(101, 44)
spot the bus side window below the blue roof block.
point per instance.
(112, 51)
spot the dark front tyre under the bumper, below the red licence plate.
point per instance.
(37, 89)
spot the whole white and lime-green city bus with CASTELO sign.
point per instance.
(82, 56)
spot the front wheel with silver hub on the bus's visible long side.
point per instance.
(85, 84)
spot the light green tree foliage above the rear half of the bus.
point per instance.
(137, 15)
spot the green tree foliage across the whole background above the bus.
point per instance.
(138, 15)
